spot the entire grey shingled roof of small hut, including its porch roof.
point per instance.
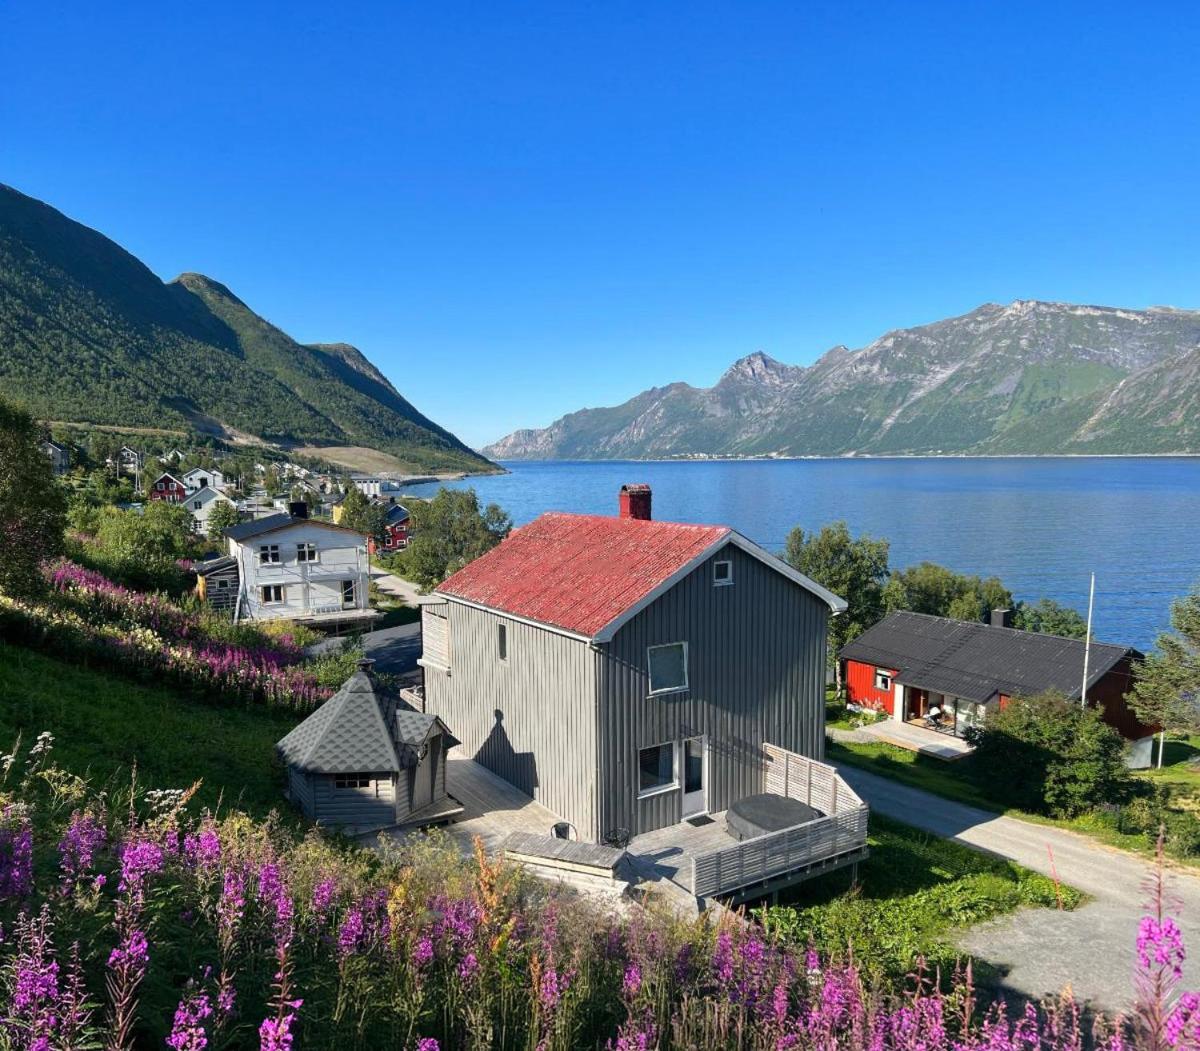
(353, 732)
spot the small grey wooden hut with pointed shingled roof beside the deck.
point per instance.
(368, 760)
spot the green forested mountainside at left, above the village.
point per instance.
(89, 334)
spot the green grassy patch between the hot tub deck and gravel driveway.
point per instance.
(915, 893)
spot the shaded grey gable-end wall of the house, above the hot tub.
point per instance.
(757, 656)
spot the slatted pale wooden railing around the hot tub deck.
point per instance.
(839, 834)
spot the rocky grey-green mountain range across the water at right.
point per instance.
(1025, 379)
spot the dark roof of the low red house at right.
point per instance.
(979, 662)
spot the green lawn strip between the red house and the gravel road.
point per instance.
(956, 782)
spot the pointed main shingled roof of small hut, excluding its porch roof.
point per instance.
(347, 735)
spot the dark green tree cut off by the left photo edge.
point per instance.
(33, 505)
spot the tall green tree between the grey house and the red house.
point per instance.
(855, 569)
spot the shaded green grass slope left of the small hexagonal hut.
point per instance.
(104, 726)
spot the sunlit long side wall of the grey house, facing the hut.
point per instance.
(545, 741)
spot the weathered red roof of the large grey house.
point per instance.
(580, 572)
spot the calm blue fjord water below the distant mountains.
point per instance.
(1042, 526)
